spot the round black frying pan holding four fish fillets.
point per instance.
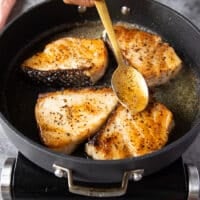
(18, 95)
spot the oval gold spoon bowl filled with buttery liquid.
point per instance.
(130, 88)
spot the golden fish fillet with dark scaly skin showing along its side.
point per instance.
(68, 62)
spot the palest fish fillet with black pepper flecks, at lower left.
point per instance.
(67, 118)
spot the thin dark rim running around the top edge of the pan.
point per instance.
(72, 158)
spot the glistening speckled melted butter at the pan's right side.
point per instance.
(180, 95)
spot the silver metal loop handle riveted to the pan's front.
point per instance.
(135, 175)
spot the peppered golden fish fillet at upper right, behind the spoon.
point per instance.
(155, 59)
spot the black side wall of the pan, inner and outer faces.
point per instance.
(172, 27)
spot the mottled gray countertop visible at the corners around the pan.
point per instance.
(189, 8)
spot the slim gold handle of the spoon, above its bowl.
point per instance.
(106, 20)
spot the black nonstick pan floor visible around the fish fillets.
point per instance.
(180, 94)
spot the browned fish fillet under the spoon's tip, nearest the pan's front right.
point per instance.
(127, 136)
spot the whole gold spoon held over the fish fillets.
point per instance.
(128, 84)
